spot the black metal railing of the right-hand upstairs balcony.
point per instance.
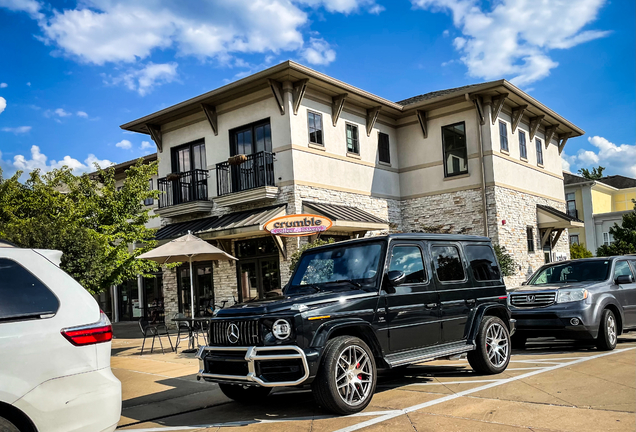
(256, 171)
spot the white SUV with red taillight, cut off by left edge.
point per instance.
(54, 349)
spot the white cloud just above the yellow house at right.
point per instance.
(617, 159)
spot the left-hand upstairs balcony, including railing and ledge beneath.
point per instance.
(183, 193)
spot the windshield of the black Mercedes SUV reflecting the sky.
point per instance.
(333, 268)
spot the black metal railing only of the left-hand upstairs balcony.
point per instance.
(183, 187)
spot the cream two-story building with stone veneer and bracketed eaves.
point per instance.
(481, 159)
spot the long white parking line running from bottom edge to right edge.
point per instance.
(404, 411)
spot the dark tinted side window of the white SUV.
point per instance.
(22, 294)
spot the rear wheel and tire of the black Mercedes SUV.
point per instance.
(493, 347)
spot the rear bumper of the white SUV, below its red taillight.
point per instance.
(88, 401)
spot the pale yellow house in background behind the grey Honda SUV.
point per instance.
(599, 204)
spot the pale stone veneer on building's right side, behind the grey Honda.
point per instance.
(519, 210)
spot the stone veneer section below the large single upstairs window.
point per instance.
(458, 212)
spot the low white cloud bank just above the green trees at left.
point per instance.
(40, 161)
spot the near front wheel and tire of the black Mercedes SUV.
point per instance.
(347, 376)
